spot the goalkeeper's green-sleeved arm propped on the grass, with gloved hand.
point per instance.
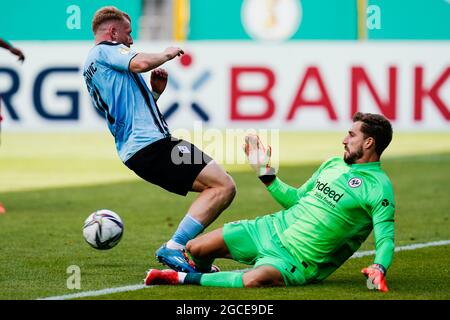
(383, 229)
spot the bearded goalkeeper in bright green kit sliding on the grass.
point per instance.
(323, 222)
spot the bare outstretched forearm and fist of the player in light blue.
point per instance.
(143, 62)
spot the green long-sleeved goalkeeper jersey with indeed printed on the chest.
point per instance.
(332, 214)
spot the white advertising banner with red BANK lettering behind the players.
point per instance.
(291, 86)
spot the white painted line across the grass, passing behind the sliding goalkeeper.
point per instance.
(135, 287)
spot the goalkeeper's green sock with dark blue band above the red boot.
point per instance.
(219, 279)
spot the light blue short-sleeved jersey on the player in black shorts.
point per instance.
(123, 96)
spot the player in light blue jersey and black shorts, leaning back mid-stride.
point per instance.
(142, 136)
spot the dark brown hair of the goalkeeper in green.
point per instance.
(377, 127)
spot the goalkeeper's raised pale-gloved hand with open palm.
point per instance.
(258, 156)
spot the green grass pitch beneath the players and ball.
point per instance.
(49, 183)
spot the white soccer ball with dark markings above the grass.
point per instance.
(103, 229)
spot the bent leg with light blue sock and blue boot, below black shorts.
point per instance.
(217, 190)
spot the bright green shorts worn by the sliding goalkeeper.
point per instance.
(255, 242)
